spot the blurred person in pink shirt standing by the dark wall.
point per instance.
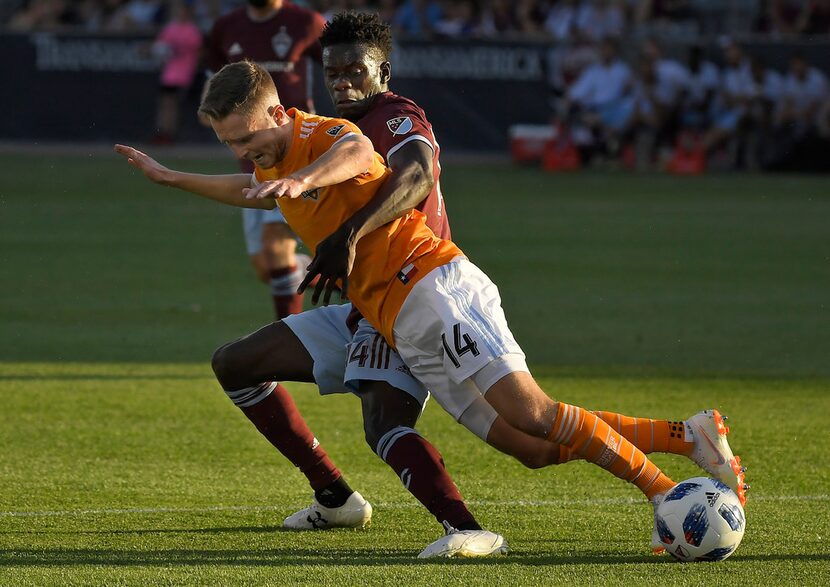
(179, 44)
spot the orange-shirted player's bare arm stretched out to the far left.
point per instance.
(227, 189)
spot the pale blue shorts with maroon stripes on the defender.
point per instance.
(341, 360)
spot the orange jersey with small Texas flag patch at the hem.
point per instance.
(389, 260)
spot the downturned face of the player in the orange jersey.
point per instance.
(254, 137)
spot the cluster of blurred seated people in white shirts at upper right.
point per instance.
(728, 112)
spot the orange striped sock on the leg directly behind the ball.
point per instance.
(594, 440)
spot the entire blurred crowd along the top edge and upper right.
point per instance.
(716, 106)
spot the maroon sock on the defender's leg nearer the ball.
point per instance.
(421, 469)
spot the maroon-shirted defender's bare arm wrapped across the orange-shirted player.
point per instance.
(410, 182)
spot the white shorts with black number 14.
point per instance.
(452, 333)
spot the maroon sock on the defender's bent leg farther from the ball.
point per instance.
(278, 420)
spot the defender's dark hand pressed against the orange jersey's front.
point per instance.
(332, 262)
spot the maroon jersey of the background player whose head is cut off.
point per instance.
(281, 44)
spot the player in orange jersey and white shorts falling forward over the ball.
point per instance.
(441, 313)
